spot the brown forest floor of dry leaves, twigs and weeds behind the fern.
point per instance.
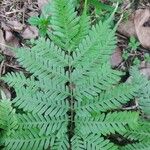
(133, 33)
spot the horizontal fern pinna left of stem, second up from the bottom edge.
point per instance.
(47, 125)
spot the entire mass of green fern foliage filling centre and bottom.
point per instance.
(72, 100)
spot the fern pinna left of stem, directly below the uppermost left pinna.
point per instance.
(40, 67)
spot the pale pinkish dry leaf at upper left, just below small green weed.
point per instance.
(30, 32)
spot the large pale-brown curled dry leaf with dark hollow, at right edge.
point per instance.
(142, 27)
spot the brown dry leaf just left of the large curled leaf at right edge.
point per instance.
(127, 27)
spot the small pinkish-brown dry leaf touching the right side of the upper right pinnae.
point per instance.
(116, 57)
